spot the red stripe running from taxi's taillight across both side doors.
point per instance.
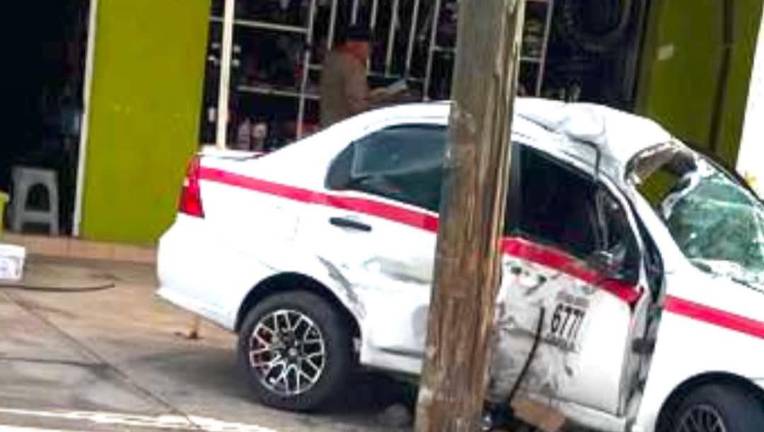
(514, 246)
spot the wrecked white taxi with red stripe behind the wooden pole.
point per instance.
(633, 270)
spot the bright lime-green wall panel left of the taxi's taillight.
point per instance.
(146, 100)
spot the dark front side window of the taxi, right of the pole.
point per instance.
(555, 204)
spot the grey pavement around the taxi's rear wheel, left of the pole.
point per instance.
(118, 360)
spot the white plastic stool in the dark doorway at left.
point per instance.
(24, 179)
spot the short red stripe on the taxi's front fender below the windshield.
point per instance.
(717, 317)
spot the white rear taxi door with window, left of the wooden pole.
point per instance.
(377, 238)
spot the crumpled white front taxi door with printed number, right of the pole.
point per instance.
(571, 300)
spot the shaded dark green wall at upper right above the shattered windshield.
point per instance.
(680, 69)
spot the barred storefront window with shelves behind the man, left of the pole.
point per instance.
(279, 47)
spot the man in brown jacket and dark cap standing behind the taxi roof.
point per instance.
(344, 88)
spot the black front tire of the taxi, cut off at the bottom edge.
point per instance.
(737, 410)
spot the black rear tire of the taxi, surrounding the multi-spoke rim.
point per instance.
(337, 338)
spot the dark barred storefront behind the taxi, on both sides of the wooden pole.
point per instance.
(278, 47)
